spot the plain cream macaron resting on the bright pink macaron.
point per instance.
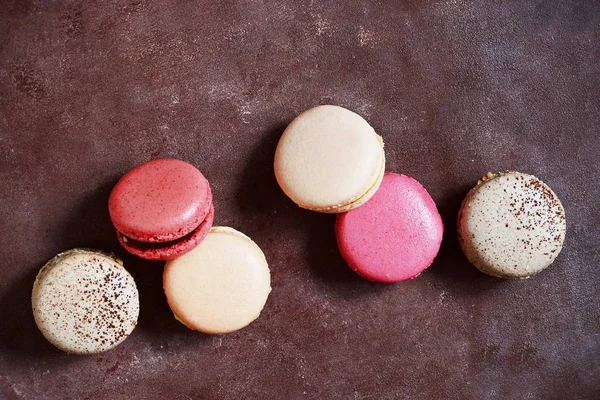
(329, 159)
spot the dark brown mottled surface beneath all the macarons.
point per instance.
(89, 89)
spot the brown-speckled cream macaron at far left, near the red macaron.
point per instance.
(84, 301)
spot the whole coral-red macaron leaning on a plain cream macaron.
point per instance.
(161, 209)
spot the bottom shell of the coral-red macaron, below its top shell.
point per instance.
(170, 250)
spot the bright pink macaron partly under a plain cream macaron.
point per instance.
(395, 235)
